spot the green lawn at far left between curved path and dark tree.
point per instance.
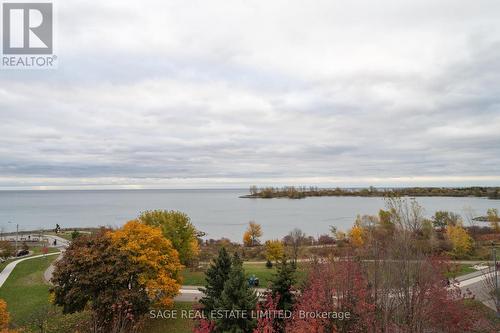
(25, 291)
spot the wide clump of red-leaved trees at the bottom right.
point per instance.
(342, 287)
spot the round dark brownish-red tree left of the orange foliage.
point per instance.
(93, 274)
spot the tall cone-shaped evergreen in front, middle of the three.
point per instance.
(237, 296)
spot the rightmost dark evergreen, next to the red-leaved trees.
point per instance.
(282, 284)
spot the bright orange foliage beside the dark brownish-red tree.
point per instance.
(156, 259)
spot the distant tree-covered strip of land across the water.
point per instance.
(304, 192)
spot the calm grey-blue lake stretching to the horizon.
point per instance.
(219, 213)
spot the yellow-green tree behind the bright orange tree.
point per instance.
(176, 227)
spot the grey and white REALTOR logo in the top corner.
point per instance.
(28, 29)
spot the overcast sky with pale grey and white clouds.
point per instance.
(232, 93)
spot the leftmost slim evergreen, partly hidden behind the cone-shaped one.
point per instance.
(215, 277)
